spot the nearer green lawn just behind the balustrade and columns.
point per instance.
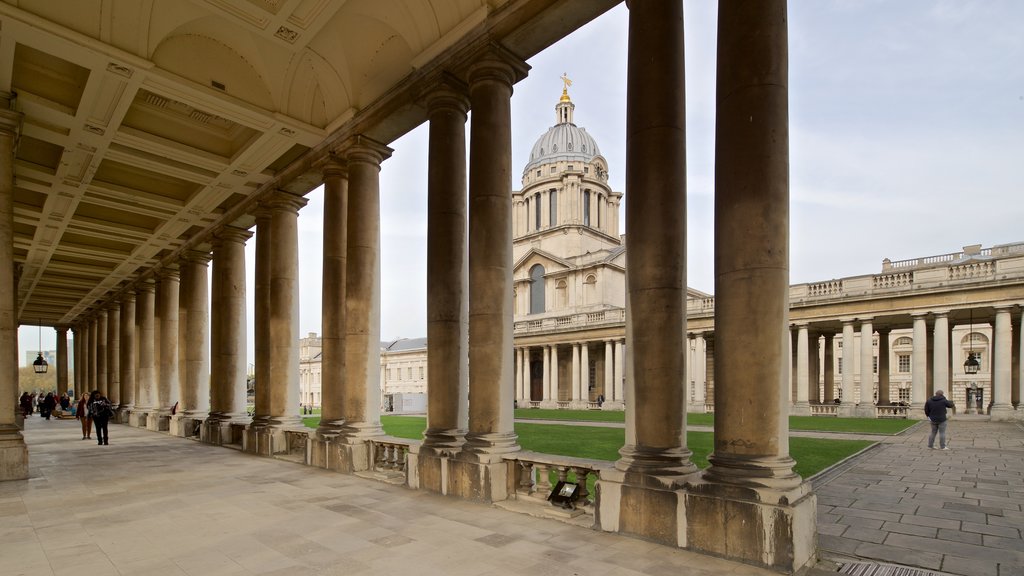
(813, 455)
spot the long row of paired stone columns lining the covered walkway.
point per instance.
(740, 508)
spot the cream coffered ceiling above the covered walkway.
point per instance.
(145, 125)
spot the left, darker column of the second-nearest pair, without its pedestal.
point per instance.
(448, 273)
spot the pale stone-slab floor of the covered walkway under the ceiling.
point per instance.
(154, 505)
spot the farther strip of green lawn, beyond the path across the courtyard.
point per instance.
(817, 424)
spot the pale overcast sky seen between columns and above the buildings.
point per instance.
(907, 140)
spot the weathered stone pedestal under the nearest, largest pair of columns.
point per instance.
(764, 527)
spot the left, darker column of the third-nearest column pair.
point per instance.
(335, 174)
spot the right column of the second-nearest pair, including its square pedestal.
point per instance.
(481, 473)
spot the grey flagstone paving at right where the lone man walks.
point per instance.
(956, 511)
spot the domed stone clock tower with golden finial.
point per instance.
(567, 249)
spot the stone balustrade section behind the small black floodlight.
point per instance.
(533, 476)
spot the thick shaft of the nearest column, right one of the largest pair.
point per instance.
(752, 250)
